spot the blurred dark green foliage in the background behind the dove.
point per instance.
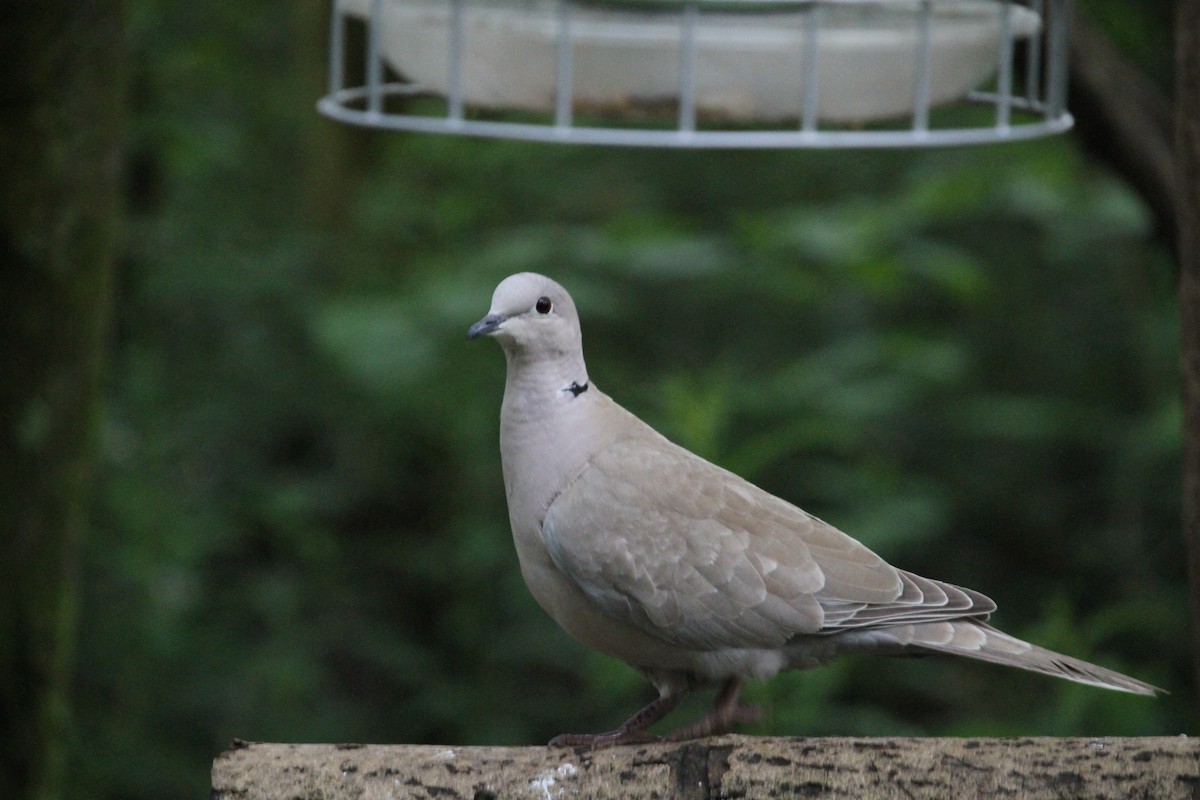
(967, 359)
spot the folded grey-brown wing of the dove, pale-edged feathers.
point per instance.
(698, 557)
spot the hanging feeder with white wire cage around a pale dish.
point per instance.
(705, 74)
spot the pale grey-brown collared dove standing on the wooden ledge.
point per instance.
(683, 570)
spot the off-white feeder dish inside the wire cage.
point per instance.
(747, 67)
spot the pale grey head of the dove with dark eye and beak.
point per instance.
(533, 318)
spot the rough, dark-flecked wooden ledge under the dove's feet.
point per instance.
(1163, 768)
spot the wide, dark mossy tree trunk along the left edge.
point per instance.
(59, 197)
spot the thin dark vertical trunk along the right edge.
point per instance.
(1187, 148)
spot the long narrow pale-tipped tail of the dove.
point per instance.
(980, 641)
